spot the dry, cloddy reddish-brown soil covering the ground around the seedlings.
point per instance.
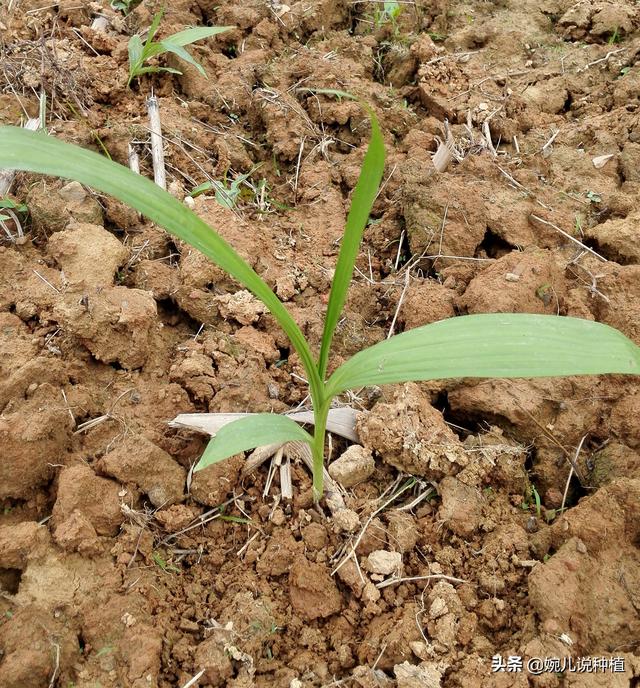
(108, 329)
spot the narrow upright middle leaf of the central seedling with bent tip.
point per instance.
(361, 203)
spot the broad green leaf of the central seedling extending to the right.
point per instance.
(493, 345)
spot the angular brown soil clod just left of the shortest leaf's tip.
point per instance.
(139, 461)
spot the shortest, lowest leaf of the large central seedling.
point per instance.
(254, 430)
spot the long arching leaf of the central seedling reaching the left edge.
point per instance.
(36, 152)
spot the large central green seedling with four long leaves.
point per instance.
(508, 345)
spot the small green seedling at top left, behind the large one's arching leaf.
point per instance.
(140, 53)
